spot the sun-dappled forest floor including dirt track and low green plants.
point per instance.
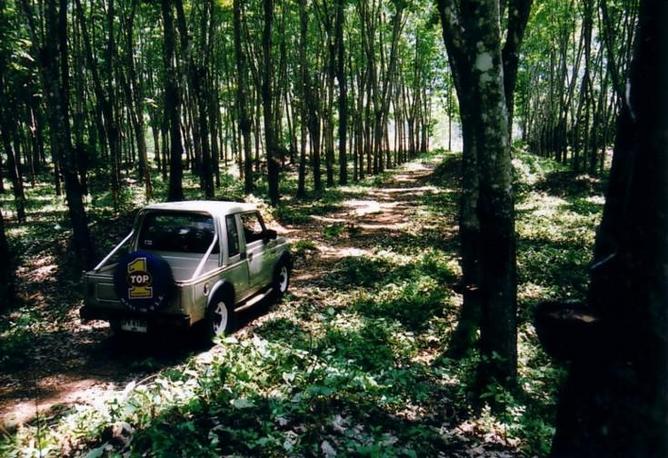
(353, 361)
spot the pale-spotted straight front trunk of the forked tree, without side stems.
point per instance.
(498, 327)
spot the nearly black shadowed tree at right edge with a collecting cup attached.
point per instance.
(614, 401)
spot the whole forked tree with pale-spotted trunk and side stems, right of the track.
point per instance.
(472, 37)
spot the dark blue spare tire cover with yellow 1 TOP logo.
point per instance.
(143, 281)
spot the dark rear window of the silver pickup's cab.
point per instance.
(179, 232)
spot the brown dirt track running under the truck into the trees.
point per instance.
(82, 363)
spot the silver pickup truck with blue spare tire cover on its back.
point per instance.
(185, 263)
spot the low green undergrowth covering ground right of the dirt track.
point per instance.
(355, 363)
